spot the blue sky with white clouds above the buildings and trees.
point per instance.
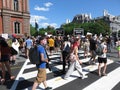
(55, 12)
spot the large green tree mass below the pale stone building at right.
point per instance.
(96, 27)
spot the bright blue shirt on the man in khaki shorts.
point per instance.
(41, 49)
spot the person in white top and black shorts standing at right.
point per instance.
(102, 59)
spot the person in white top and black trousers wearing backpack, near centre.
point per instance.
(65, 52)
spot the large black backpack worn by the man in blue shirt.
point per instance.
(34, 55)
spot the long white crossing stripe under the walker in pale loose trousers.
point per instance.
(58, 81)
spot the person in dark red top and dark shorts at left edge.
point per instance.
(4, 60)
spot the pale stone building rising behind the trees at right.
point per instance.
(113, 21)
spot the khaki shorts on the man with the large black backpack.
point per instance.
(41, 76)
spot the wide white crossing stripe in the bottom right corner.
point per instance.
(109, 81)
